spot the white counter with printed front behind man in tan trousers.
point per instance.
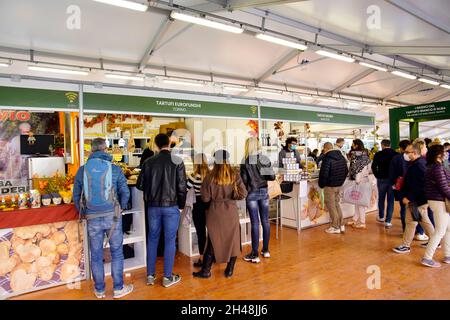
(302, 212)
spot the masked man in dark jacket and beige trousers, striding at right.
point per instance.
(412, 194)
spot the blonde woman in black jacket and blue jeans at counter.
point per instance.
(256, 170)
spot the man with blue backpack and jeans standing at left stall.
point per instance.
(100, 192)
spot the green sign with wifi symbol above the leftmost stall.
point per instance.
(38, 98)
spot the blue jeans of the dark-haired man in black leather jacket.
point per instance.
(168, 219)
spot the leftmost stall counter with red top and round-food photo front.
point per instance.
(40, 248)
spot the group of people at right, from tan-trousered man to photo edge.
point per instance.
(417, 176)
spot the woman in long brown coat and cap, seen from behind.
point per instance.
(221, 189)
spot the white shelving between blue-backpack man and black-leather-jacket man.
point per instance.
(137, 237)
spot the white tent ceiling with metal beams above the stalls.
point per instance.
(416, 32)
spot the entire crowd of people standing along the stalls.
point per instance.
(417, 177)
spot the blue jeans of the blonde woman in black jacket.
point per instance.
(258, 206)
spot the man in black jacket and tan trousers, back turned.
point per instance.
(333, 173)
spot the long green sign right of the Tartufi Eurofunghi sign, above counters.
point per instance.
(269, 113)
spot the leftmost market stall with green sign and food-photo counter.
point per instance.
(41, 240)
